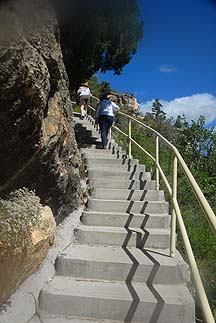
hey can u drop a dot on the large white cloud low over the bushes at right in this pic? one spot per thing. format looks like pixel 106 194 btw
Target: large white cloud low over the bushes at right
pixel 192 106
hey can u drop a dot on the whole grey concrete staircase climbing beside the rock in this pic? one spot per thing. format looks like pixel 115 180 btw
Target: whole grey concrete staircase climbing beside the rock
pixel 118 268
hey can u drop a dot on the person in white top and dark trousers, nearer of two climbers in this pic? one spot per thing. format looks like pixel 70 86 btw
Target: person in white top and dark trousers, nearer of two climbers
pixel 105 116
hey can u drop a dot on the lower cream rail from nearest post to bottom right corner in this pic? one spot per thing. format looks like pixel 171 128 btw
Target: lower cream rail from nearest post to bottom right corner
pixel 206 310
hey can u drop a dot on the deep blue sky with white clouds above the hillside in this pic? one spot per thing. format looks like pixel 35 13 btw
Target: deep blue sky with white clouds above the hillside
pixel 176 59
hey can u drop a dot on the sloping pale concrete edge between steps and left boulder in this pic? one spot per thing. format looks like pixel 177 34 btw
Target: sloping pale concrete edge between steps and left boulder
pixel 20 307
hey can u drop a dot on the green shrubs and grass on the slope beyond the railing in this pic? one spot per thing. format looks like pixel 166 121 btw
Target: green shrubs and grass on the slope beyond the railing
pixel 197 145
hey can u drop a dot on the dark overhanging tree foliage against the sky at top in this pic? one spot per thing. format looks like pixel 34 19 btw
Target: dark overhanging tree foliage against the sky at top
pixel 97 35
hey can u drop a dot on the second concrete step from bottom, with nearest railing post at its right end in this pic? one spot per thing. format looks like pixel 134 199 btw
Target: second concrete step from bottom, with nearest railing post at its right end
pixel 121 264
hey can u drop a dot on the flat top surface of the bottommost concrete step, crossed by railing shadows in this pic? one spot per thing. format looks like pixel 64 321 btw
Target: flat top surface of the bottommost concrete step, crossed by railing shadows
pixel 85 288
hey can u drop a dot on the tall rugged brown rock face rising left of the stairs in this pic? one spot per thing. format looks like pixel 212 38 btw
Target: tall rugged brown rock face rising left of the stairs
pixel 37 147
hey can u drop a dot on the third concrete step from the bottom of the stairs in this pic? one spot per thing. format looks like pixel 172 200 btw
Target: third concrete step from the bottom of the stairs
pixel 116 236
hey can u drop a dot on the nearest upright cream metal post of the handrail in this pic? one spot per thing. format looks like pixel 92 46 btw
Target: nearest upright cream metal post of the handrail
pixel 173 213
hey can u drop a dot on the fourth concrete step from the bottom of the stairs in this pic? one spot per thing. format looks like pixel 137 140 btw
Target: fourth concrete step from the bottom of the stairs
pixel 156 221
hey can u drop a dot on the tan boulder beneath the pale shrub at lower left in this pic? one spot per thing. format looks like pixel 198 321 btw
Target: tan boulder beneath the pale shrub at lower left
pixel 17 266
